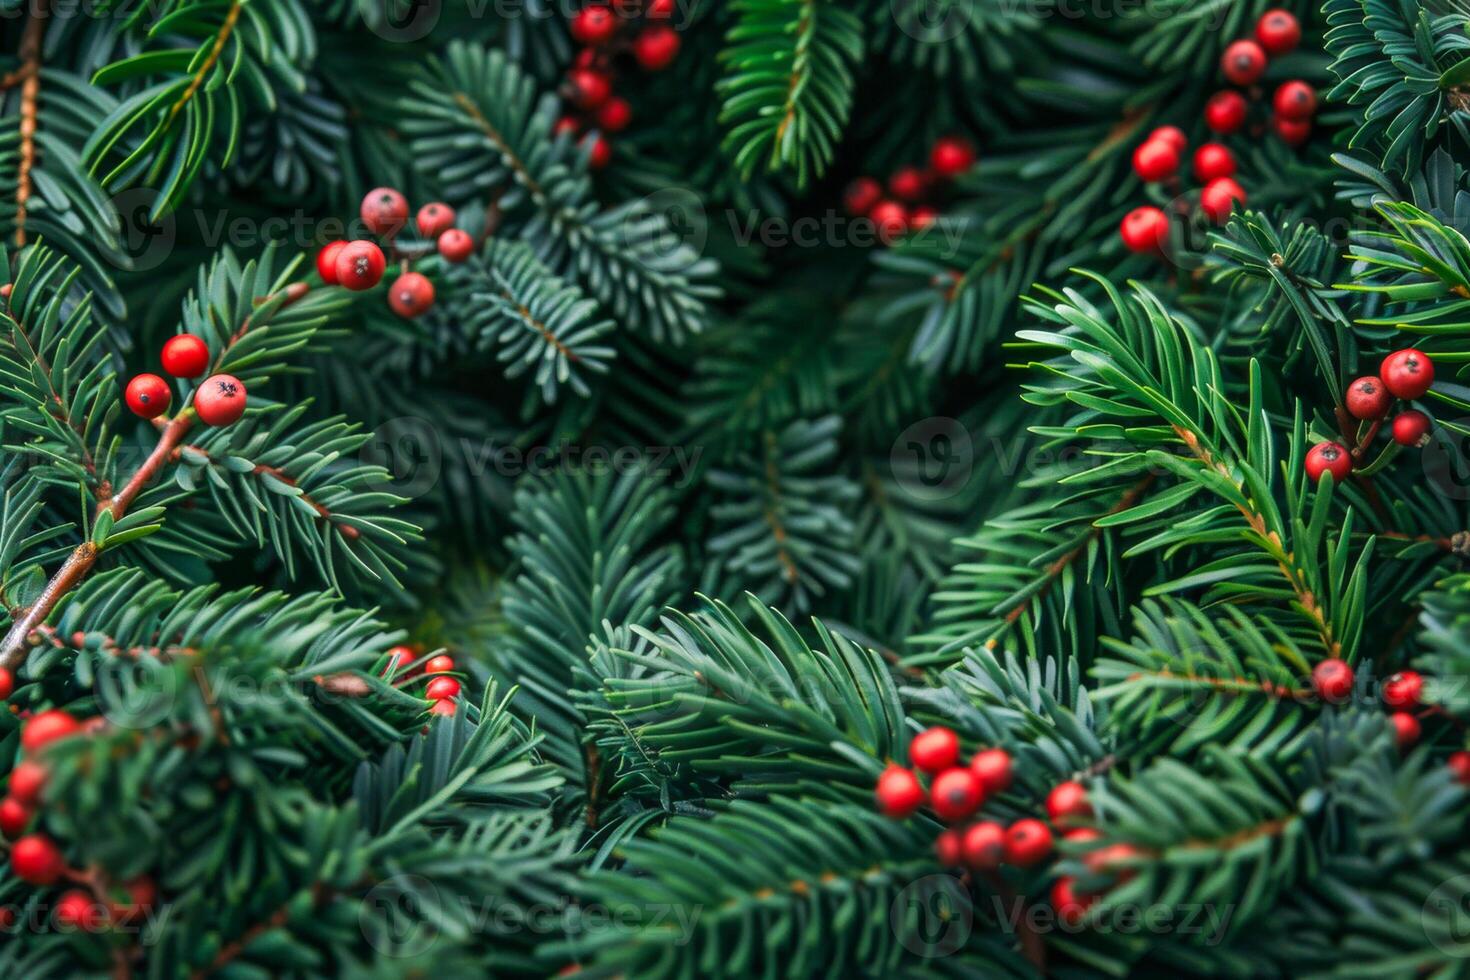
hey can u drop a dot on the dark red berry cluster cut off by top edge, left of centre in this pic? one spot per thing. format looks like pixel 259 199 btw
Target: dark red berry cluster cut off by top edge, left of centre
pixel 603 35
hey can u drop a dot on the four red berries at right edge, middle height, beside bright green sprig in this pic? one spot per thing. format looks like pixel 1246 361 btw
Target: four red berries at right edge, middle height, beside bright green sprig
pixel 1406 375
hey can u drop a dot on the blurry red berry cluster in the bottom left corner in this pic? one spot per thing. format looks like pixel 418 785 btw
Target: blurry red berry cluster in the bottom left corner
pixel 36 859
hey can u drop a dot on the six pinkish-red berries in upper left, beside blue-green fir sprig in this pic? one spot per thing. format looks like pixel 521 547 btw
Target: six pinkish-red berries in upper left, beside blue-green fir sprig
pixel 359 265
